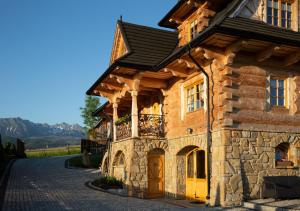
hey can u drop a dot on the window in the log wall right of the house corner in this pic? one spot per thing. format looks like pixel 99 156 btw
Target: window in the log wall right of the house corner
pixel 277 90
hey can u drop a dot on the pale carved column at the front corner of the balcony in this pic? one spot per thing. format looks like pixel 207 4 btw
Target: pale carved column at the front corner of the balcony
pixel 134 115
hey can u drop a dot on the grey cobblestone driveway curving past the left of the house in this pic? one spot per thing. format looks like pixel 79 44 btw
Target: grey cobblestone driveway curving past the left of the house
pixel 45 184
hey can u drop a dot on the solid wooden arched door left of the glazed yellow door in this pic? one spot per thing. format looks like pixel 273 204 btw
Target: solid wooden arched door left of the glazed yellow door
pixel 156 173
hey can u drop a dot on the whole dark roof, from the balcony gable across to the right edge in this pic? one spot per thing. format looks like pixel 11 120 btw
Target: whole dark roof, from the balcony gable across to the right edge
pixel 223 22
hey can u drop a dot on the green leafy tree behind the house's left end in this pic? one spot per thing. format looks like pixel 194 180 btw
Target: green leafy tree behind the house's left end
pixel 91 104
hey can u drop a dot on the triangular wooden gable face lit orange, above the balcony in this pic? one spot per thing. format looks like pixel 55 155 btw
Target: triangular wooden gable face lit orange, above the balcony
pixel 119 47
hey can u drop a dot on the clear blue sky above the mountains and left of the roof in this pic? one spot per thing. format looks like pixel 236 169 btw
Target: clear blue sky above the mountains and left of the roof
pixel 52 51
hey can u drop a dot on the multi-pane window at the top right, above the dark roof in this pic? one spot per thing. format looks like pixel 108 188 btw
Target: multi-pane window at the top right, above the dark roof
pixel 279 13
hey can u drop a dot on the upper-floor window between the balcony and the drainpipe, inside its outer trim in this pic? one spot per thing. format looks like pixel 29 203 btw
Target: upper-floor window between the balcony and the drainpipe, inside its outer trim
pixel 195 99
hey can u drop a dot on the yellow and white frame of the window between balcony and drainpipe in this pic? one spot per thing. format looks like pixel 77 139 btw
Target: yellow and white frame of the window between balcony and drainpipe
pixel 196 105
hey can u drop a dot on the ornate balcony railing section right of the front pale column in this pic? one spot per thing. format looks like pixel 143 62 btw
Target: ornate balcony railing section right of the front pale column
pixel 151 125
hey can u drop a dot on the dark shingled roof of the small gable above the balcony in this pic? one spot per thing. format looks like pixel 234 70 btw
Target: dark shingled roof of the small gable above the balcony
pixel 147 47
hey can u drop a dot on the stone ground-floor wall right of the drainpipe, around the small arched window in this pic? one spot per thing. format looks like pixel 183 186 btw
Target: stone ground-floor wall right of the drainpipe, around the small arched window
pixel 248 156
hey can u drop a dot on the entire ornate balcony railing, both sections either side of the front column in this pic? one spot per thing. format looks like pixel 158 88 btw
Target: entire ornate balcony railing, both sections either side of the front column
pixel 149 125
